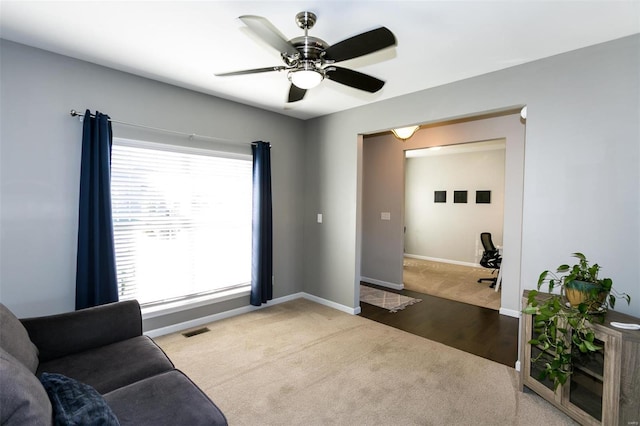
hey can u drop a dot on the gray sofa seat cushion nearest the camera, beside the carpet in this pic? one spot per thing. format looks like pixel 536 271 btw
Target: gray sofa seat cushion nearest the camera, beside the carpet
pixel 169 399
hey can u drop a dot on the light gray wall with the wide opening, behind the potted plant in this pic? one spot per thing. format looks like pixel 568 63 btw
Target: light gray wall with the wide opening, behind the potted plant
pixel 581 174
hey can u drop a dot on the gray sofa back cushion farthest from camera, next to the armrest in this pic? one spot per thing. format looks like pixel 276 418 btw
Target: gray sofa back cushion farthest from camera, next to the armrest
pixel 15 340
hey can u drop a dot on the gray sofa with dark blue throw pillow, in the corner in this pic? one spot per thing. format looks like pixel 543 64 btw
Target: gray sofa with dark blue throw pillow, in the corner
pixel 93 366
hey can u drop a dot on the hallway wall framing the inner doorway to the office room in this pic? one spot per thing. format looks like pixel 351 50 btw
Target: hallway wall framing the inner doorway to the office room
pixel 382 206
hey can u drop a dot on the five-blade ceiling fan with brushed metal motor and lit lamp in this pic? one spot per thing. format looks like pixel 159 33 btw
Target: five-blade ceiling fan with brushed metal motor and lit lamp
pixel 309 60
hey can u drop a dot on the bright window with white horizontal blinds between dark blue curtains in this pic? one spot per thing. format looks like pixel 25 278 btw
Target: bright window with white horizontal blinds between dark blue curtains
pixel 182 221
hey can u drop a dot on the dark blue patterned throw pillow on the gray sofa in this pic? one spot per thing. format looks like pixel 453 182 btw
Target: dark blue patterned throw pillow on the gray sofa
pixel 76 403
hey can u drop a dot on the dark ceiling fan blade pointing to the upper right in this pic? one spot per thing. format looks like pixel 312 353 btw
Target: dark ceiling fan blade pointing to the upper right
pixel 361 45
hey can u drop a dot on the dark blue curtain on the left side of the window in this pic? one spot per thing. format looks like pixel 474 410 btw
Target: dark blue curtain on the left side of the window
pixel 96 282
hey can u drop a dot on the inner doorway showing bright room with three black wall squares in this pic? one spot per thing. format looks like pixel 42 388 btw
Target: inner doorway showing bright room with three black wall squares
pixel 453 193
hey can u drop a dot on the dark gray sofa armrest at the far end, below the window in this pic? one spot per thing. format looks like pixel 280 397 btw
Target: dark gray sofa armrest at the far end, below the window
pixel 64 334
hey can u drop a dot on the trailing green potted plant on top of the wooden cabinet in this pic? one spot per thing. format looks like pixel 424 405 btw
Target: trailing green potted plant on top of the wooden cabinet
pixel 562 319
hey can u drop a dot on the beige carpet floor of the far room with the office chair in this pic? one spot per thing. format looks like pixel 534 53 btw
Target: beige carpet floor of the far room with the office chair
pixel 453 282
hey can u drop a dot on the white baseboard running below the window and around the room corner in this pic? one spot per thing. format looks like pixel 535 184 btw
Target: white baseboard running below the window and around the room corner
pixel 175 328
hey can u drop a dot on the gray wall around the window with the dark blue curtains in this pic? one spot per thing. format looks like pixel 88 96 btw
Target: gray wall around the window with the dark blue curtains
pixel 40 158
